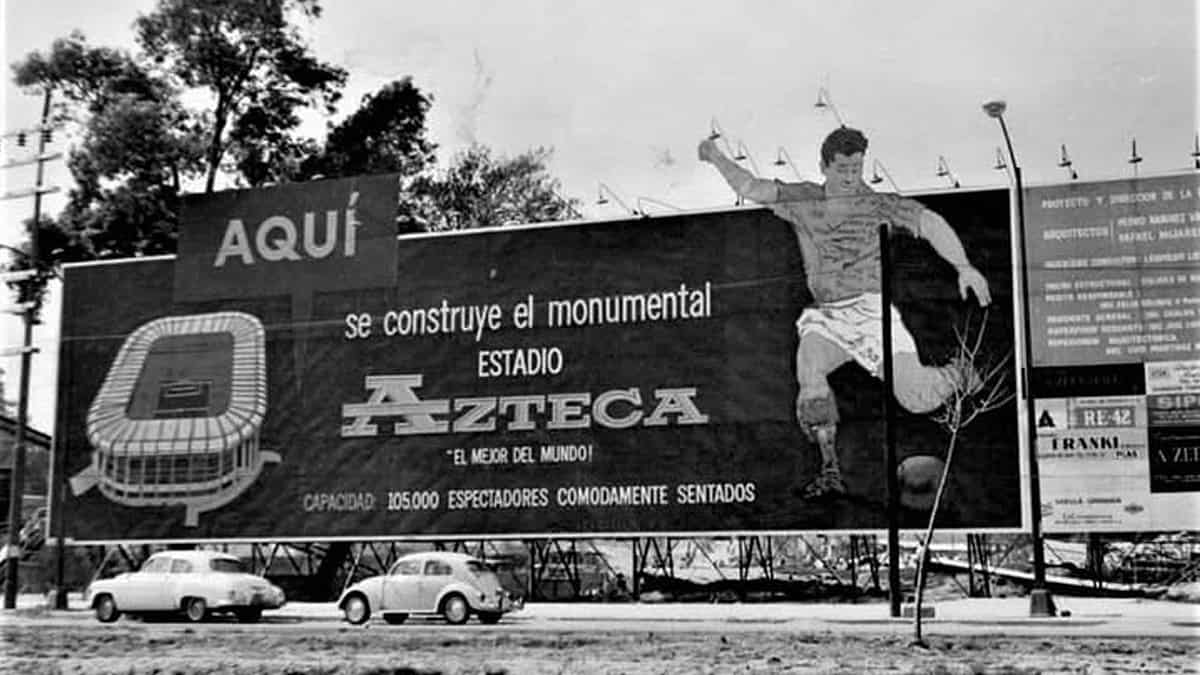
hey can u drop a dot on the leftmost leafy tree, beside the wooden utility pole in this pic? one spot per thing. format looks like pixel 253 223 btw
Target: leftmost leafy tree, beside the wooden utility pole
pixel 136 148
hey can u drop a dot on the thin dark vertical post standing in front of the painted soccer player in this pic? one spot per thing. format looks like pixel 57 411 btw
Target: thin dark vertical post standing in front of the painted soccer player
pixel 890 437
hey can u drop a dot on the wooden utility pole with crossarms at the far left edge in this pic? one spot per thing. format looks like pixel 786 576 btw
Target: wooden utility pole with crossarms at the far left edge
pixel 28 289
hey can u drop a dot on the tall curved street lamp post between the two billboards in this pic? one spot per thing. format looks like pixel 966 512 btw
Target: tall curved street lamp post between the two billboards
pixel 1041 602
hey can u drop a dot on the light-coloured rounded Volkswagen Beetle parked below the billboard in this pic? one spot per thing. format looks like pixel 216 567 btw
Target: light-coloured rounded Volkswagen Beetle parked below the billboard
pixel 435 583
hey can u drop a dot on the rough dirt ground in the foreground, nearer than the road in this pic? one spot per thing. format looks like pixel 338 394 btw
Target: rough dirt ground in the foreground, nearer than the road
pixel 133 648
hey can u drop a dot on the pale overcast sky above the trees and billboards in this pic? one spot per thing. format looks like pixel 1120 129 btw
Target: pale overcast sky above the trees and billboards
pixel 623 91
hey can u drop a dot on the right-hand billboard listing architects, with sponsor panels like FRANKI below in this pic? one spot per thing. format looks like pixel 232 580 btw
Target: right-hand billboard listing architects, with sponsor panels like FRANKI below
pixel 1115 295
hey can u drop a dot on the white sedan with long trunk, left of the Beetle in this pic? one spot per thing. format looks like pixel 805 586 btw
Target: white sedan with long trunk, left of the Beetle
pixel 197 584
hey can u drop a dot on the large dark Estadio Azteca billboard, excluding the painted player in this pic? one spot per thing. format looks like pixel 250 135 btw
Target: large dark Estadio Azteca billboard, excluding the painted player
pixel 608 378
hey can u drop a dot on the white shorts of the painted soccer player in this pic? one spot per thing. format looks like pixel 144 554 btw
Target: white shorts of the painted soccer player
pixel 856 325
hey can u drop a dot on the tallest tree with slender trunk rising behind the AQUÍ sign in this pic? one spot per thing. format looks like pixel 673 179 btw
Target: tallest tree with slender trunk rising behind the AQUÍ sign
pixel 249 56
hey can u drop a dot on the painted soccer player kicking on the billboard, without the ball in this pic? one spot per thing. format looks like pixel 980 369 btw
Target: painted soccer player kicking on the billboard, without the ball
pixel 837 226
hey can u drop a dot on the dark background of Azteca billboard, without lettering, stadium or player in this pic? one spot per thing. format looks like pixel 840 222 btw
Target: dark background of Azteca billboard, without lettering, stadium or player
pixel 741 360
